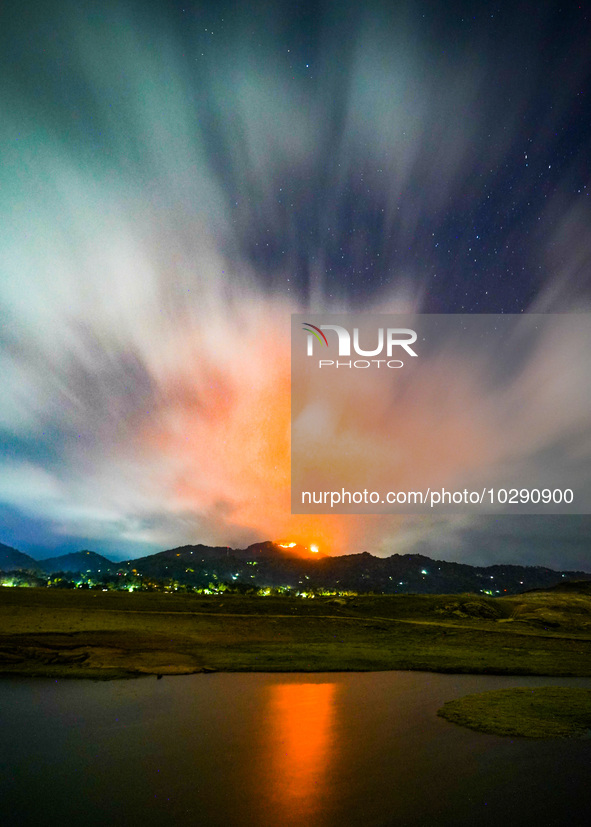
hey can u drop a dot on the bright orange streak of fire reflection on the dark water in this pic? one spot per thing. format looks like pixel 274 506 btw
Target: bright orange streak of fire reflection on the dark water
pixel 301 718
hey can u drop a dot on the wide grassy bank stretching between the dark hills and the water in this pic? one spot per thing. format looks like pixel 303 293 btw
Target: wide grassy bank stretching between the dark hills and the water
pixel 118 634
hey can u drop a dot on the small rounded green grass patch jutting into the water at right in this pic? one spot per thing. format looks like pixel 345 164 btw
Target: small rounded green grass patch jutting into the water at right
pixel 544 712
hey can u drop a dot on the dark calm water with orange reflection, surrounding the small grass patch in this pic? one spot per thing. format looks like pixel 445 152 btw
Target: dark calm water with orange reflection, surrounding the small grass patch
pixel 274 750
